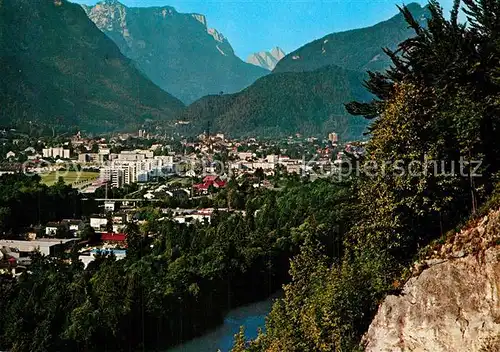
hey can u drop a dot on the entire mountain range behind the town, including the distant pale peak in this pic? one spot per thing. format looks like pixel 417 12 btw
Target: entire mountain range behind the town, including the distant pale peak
pixel 58 68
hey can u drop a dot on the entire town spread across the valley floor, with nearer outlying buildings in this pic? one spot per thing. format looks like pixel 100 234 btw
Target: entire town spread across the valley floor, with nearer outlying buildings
pixel 124 173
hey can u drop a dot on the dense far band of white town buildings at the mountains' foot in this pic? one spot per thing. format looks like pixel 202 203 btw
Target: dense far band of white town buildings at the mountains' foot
pixel 119 166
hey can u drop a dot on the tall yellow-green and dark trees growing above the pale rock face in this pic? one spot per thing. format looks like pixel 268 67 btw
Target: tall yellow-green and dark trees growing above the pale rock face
pixel 439 101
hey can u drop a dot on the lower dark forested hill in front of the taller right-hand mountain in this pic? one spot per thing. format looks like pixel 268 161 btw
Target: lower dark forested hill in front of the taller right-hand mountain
pixel 285 103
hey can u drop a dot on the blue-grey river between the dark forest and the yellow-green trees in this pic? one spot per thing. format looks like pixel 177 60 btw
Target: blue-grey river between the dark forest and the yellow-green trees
pixel 251 316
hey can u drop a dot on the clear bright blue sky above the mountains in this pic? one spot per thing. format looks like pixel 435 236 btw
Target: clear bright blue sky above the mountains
pixel 257 25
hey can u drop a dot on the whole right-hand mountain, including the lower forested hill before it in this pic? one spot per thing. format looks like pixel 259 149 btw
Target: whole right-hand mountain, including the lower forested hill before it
pixel 308 88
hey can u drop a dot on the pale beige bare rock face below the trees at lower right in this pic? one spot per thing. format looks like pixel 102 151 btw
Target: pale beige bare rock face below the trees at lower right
pixel 452 302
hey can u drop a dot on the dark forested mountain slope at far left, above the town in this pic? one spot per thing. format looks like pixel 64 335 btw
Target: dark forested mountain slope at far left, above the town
pixel 58 69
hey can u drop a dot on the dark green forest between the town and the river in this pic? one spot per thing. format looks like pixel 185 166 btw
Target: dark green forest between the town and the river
pixel 177 281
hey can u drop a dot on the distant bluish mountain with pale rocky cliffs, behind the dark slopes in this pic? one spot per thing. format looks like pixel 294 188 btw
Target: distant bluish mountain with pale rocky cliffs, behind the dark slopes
pixel 177 51
